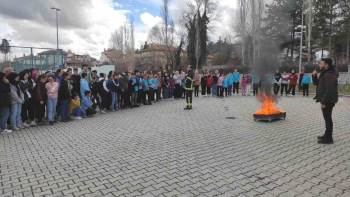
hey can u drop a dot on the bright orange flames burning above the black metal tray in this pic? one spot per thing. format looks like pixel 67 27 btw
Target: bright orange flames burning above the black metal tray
pixel 268 106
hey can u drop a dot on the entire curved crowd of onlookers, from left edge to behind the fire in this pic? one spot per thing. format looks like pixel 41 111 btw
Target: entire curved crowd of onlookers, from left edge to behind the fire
pixel 29 99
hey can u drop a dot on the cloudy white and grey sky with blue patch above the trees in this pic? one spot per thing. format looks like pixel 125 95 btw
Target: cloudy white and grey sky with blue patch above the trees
pixel 86 25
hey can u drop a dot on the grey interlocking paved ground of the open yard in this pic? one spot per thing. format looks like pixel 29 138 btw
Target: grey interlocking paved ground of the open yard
pixel 162 150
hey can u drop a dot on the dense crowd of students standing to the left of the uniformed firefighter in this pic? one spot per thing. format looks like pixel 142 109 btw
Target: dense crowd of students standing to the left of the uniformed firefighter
pixel 29 99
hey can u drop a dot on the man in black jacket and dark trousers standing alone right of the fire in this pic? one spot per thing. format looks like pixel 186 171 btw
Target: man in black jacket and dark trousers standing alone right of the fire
pixel 327 95
